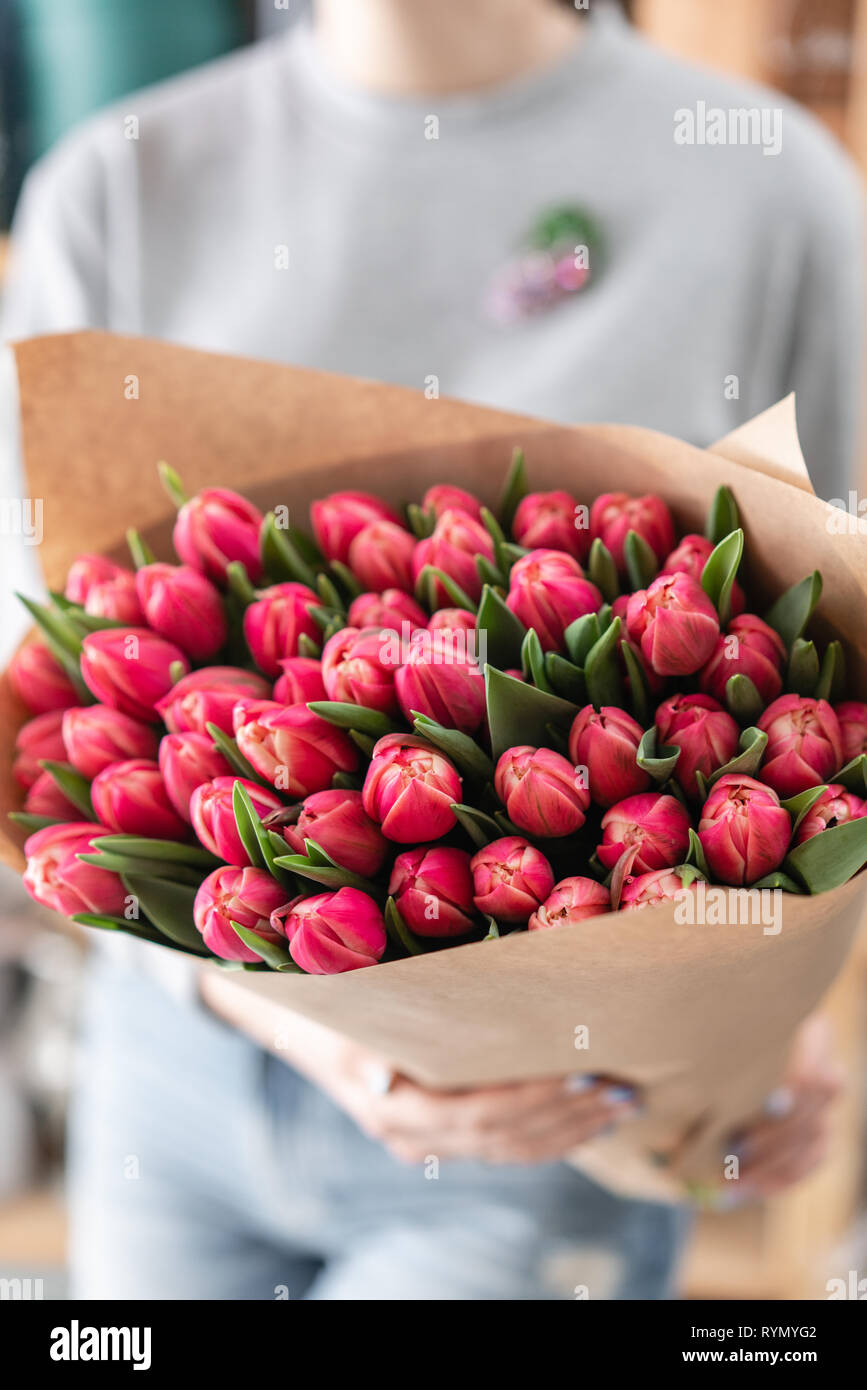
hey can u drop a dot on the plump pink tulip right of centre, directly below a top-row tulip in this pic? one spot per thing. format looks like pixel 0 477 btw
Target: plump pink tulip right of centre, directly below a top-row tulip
pixel 548 591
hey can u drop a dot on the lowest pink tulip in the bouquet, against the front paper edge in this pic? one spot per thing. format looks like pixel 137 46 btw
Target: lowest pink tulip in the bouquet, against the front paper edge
pixel 334 932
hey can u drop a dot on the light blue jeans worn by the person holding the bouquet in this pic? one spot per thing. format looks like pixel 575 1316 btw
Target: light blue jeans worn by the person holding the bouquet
pixel 204 1168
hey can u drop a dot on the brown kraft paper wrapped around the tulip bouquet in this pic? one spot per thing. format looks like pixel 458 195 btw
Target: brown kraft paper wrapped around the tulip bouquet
pixel 698 1017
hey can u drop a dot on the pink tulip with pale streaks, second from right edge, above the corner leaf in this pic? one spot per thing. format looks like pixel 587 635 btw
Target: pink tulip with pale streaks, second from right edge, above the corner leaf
pixel 805 744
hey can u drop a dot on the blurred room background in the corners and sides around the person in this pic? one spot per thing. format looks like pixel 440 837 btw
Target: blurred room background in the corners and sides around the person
pixel 58 65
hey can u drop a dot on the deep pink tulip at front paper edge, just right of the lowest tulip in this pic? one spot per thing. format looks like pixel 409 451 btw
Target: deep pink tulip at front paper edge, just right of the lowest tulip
pixel 433 890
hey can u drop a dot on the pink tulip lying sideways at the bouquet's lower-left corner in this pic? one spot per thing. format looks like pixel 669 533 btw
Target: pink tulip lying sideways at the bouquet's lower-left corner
pixel 58 879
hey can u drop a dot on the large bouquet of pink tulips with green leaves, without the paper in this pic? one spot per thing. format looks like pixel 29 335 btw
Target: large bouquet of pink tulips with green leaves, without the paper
pixel 406 732
